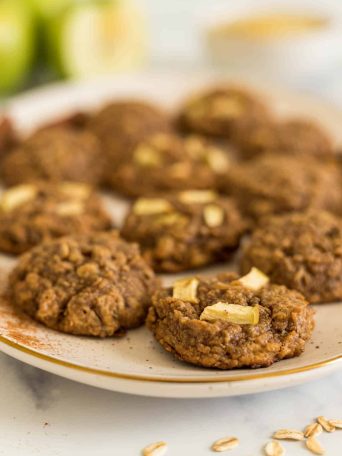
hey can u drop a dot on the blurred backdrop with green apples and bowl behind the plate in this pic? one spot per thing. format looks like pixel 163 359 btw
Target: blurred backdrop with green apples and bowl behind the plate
pixel 288 42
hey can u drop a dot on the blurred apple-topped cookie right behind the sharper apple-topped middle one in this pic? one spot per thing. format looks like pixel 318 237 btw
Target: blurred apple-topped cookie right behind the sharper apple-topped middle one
pixel 167 162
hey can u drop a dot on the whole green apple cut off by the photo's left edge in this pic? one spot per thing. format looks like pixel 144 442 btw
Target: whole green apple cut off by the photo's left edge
pixel 16 43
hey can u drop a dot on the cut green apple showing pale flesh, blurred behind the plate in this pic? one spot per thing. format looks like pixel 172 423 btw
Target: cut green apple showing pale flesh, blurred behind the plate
pixel 96 37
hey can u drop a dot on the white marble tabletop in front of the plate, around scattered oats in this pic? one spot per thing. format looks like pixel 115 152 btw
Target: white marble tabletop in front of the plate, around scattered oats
pixel 41 414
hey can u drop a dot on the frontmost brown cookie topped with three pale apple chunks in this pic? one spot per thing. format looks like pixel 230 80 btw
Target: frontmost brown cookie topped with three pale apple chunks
pixel 226 323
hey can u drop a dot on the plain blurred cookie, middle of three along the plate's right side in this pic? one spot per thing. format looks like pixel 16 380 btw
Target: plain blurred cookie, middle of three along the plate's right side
pixel 274 185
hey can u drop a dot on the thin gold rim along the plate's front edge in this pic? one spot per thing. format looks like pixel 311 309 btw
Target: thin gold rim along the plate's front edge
pixel 137 377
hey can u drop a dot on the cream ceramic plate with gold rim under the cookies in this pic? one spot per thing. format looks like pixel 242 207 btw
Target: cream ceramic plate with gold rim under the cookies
pixel 135 363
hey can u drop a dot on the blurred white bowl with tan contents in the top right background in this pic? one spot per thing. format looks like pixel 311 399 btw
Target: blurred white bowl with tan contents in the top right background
pixel 283 41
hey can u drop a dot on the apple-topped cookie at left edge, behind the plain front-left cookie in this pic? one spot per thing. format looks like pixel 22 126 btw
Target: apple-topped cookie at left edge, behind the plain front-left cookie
pixel 34 213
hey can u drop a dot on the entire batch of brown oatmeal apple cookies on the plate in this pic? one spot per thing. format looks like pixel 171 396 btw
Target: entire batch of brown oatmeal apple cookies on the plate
pixel 221 170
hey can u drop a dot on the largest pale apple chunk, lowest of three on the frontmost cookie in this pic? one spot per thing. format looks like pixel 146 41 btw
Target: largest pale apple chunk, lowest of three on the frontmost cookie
pixel 233 313
